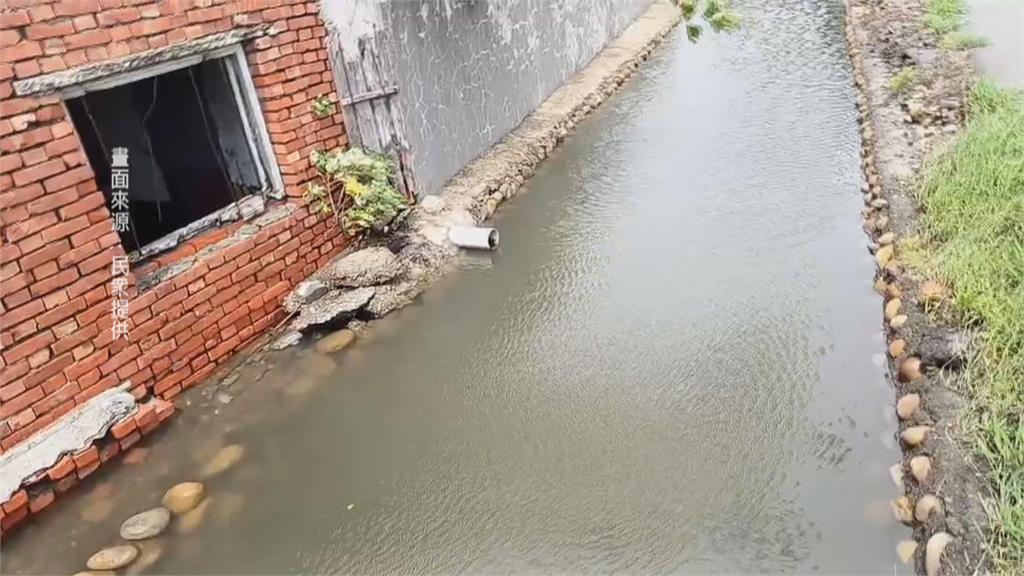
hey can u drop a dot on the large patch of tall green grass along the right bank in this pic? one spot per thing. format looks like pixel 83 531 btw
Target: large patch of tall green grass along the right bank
pixel 973 230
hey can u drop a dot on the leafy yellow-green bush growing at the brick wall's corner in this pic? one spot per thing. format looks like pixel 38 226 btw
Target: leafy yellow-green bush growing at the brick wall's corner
pixel 358 188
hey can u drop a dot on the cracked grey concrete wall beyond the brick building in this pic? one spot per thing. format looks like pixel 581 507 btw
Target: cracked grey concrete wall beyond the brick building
pixel 470 71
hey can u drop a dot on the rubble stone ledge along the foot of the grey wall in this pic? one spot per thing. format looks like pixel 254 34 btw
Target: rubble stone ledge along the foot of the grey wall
pixel 387 275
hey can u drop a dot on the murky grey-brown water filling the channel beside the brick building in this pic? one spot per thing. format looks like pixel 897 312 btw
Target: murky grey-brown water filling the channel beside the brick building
pixel 671 365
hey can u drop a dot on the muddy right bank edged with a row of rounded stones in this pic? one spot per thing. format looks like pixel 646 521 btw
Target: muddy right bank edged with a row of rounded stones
pixel 945 487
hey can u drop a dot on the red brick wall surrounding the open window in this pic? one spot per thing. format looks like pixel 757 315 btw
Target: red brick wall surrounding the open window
pixel 58 241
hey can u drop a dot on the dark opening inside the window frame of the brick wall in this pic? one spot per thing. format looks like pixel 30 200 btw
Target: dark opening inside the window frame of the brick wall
pixel 189 154
